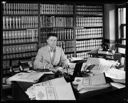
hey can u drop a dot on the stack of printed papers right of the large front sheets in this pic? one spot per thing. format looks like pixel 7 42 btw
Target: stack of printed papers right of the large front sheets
pixel 91 83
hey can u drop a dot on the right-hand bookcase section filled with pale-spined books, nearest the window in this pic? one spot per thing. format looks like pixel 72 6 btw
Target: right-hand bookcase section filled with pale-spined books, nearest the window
pixel 88 28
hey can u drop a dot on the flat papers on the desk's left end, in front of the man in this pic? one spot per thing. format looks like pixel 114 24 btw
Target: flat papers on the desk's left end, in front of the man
pixel 28 77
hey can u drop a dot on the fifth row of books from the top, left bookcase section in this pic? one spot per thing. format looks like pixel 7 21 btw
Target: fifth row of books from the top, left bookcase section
pixel 19 55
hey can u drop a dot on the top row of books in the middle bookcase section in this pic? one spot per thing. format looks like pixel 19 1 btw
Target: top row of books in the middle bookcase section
pixel 56 9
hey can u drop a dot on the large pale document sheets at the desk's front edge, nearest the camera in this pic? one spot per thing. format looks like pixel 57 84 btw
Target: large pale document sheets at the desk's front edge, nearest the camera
pixel 55 89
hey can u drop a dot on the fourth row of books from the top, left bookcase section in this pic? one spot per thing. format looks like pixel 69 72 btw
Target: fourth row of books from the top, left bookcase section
pixel 19 48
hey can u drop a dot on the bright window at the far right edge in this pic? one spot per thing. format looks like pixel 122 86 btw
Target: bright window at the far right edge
pixel 121 20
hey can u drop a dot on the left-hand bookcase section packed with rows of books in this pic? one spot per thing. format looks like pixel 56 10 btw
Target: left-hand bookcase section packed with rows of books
pixel 20 33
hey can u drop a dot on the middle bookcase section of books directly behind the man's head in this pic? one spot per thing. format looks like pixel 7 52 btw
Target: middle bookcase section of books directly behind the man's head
pixel 58 18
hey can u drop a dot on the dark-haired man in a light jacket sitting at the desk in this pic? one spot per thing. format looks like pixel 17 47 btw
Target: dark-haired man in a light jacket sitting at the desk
pixel 50 56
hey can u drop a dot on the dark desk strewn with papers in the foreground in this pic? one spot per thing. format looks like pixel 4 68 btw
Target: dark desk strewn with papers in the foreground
pixel 19 89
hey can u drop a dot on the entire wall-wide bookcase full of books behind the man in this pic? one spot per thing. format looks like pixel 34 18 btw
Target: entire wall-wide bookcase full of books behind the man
pixel 79 28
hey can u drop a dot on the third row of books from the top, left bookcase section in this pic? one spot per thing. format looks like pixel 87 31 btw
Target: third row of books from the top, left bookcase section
pixel 12 37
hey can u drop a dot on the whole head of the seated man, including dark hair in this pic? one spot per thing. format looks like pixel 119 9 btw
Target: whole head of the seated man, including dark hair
pixel 52 40
